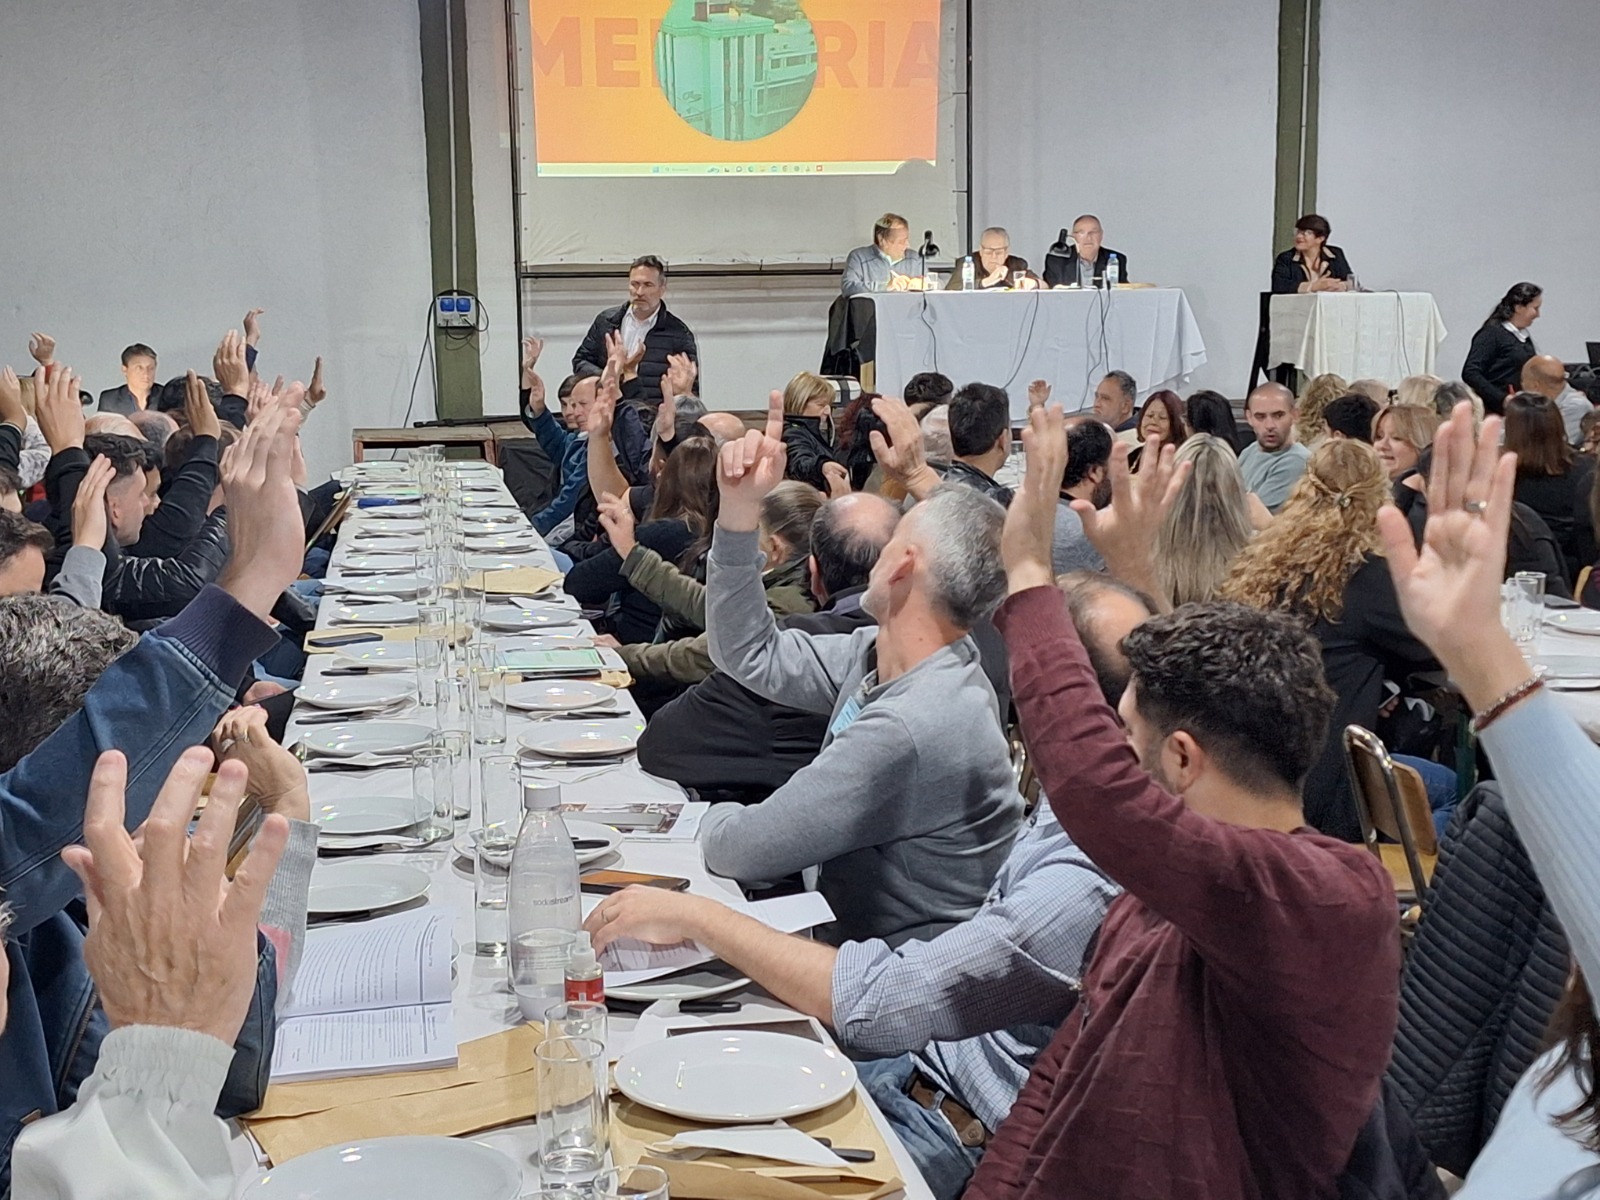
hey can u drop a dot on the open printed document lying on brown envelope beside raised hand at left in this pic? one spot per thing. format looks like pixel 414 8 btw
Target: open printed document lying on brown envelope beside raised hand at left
pixel 370 998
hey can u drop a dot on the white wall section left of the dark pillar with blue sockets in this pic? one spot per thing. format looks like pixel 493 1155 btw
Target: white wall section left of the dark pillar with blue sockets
pixel 170 166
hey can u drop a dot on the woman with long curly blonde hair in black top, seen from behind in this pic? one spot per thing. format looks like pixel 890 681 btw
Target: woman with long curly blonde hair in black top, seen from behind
pixel 1321 561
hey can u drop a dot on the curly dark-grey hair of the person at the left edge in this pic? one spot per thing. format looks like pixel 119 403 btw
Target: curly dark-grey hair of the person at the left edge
pixel 50 655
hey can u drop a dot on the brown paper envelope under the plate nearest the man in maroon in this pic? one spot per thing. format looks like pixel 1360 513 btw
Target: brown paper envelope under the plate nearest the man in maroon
pixel 732 1177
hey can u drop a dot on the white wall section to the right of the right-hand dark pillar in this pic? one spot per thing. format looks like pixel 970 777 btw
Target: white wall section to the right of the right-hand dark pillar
pixel 1471 167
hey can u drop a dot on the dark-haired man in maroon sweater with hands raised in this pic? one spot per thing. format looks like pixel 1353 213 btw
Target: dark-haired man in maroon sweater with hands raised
pixel 1241 1004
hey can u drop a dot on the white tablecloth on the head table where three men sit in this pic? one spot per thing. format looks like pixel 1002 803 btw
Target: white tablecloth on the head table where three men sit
pixel 1010 338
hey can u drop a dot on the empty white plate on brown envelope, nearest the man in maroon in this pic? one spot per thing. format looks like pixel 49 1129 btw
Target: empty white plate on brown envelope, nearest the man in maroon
pixel 735 1076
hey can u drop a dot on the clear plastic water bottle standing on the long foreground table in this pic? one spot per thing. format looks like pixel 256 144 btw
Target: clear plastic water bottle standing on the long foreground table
pixel 543 911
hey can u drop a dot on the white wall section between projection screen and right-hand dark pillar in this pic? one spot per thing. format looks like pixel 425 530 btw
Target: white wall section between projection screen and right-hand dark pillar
pixel 1161 118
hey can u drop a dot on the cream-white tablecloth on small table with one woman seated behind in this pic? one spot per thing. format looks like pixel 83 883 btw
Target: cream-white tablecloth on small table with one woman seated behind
pixel 1358 335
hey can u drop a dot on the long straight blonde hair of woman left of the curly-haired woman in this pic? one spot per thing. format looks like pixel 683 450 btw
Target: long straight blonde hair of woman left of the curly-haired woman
pixel 1207 527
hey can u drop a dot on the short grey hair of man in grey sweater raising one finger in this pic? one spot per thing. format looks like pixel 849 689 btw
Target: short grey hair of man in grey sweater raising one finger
pixel 961 532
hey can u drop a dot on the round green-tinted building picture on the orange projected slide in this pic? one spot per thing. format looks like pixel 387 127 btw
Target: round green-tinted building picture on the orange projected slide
pixel 737 71
